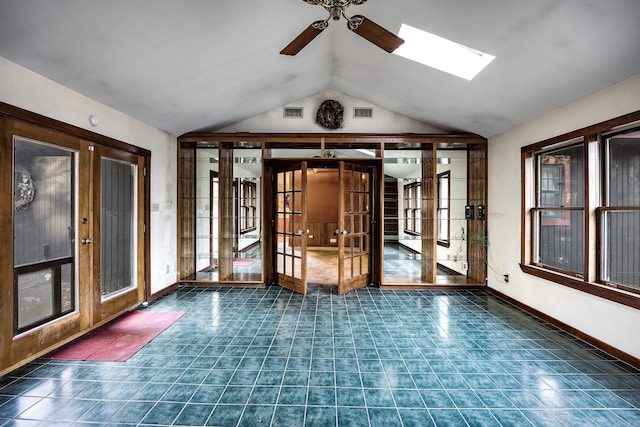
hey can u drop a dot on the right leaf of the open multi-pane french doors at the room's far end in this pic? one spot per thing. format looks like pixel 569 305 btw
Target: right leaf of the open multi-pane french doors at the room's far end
pixel 354 227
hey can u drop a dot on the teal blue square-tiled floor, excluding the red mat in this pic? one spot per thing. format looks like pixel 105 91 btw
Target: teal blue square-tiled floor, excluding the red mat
pixel 260 357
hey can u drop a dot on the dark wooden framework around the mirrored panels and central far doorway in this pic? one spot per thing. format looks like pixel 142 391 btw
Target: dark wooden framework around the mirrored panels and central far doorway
pixel 377 144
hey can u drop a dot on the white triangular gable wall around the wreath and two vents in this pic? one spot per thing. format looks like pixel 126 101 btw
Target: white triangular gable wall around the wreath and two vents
pixel 383 121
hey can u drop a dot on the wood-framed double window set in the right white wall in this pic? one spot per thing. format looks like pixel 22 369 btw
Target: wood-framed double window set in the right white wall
pixel 581 216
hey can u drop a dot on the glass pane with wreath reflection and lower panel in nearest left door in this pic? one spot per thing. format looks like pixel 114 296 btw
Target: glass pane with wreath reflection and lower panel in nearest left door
pixel 44 232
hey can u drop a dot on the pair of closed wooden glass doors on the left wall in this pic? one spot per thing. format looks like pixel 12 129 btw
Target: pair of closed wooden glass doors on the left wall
pixel 72 236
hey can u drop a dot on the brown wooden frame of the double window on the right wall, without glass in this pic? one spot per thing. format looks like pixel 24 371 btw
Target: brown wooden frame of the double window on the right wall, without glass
pixel 594 205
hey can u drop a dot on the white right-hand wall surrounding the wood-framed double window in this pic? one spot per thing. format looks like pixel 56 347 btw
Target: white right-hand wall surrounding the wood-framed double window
pixel 612 323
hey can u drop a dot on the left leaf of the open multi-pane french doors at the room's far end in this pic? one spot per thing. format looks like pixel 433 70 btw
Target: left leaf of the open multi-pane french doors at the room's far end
pixel 291 226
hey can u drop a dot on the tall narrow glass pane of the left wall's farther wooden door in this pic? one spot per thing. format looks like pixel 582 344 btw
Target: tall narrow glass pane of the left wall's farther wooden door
pixel 117 227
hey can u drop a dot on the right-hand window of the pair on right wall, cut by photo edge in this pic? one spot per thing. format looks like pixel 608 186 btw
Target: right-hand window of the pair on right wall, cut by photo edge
pixel 619 218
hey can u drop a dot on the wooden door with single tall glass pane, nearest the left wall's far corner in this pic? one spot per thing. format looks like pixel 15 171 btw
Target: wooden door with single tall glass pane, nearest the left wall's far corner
pixel 115 232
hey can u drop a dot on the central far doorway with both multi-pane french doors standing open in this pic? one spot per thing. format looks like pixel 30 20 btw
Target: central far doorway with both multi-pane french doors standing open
pixel 323 223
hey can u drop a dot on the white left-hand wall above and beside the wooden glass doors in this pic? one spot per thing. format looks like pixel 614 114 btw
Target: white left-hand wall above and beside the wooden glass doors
pixel 23 88
